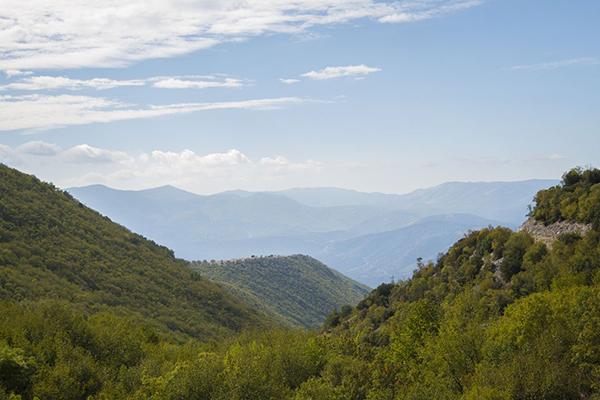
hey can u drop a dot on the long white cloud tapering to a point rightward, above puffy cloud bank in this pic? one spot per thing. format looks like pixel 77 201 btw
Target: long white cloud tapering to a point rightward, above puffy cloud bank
pixel 39 112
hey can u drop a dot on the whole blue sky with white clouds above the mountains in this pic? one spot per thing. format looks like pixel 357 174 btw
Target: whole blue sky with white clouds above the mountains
pixel 212 95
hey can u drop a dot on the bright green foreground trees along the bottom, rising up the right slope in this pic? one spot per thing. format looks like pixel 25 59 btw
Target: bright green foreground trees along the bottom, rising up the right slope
pixel 499 316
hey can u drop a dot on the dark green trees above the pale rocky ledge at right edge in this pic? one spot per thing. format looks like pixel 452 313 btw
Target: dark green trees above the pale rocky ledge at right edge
pixel 577 198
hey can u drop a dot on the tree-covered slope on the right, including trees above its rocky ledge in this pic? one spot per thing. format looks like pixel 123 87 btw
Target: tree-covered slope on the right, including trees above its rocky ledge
pixel 498 316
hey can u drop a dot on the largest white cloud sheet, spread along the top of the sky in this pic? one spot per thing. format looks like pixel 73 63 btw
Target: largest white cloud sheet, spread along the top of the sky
pixel 59 34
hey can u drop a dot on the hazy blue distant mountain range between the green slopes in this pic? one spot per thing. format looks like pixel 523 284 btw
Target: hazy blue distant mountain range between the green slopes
pixel 367 236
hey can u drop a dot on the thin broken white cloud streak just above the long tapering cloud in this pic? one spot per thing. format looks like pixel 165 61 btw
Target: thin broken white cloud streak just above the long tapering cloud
pixel 38 83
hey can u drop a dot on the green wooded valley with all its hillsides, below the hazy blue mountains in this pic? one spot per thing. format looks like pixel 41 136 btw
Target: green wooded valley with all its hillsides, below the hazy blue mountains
pixel 89 309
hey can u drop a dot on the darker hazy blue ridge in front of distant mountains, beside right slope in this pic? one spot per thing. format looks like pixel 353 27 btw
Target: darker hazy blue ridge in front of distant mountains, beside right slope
pixel 378 257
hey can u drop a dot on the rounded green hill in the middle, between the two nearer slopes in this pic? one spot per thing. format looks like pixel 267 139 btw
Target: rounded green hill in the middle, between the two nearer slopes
pixel 299 289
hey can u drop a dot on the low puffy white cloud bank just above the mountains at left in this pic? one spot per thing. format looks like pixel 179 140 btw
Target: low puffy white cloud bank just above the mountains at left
pixel 84 164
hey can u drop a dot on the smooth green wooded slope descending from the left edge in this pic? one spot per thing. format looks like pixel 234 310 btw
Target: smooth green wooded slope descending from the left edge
pixel 53 247
